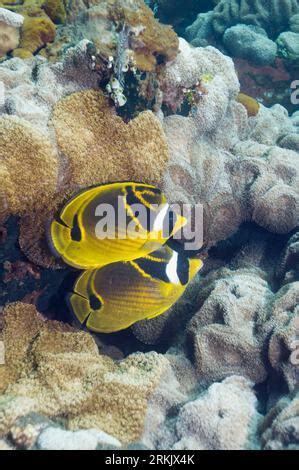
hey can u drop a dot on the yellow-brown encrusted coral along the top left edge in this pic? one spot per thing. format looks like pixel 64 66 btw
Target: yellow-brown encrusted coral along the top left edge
pixel 52 27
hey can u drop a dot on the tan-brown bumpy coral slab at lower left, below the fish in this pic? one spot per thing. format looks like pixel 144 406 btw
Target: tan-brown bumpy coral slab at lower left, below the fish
pixel 54 370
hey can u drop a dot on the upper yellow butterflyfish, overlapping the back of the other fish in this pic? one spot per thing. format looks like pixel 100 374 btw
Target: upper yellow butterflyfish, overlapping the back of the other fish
pixel 126 233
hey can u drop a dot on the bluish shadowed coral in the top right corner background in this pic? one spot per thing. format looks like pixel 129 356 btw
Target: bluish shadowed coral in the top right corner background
pixel 249 29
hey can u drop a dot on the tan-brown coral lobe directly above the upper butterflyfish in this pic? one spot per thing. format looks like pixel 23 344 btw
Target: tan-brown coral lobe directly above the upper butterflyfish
pixel 101 147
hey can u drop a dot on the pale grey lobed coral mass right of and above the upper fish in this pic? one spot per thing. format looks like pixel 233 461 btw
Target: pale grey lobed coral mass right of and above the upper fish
pixel 218 139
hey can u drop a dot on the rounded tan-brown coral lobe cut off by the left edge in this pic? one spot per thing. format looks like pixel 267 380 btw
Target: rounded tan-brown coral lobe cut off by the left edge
pixel 28 166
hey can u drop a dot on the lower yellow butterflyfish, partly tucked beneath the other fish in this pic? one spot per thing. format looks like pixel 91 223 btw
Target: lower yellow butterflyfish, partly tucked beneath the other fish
pixel 117 295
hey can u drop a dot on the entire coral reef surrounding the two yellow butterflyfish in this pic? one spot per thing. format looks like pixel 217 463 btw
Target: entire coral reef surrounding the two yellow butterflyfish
pixel 226 374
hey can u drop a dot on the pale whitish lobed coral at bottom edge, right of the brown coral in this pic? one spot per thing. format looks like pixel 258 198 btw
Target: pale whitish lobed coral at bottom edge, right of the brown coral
pixel 224 416
